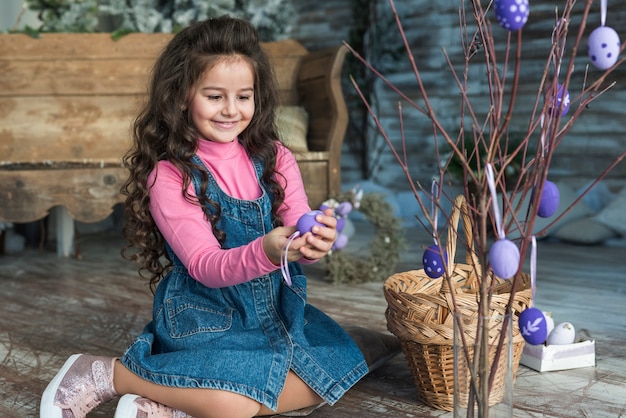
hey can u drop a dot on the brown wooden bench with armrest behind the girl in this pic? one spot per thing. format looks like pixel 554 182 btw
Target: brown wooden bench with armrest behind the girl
pixel 67 102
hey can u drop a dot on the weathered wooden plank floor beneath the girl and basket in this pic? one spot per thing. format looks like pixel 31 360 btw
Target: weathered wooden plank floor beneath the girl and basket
pixel 51 308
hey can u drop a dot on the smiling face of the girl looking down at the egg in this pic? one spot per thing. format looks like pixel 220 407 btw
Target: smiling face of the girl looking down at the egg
pixel 222 104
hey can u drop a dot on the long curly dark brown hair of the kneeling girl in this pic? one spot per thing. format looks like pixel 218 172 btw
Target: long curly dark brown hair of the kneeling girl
pixel 163 130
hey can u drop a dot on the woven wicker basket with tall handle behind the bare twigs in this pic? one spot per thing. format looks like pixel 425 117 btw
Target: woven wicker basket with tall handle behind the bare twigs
pixel 420 313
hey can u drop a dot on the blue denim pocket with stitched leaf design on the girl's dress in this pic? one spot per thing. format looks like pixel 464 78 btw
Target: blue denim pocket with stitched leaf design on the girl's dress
pixel 186 317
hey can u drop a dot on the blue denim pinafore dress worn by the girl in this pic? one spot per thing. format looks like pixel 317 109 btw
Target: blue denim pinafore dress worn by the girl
pixel 243 338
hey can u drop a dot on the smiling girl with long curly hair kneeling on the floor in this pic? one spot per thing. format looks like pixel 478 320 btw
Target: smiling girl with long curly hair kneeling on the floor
pixel 209 196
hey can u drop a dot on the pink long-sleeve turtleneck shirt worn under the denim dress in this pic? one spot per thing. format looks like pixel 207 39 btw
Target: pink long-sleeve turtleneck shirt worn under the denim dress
pixel 190 236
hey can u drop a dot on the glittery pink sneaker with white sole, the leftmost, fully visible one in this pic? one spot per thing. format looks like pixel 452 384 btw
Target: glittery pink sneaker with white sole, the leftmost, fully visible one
pixel 83 383
